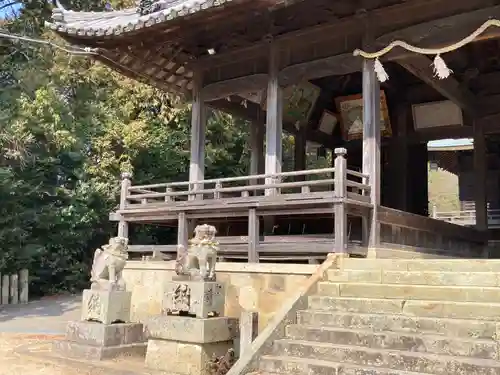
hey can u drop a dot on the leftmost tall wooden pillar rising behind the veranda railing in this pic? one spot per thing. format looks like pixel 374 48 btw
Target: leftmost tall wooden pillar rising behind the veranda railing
pixel 198 122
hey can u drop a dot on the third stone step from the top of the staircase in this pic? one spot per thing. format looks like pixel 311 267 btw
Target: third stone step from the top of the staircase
pixel 410 292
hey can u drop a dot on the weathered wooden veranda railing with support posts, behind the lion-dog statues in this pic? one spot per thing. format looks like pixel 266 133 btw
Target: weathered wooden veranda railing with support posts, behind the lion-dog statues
pixel 332 191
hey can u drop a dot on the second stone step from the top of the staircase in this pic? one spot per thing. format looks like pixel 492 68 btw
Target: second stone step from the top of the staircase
pixel 483 279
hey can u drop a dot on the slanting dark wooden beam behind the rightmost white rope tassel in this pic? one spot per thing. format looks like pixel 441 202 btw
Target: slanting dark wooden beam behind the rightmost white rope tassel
pixel 421 67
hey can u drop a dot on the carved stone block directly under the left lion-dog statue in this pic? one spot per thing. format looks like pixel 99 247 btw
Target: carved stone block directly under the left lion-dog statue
pixel 106 306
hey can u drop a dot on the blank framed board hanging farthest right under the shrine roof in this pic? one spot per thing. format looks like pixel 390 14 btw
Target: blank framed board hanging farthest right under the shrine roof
pixel 436 114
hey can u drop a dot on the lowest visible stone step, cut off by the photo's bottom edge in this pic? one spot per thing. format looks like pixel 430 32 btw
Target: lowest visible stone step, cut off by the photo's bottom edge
pixel 270 365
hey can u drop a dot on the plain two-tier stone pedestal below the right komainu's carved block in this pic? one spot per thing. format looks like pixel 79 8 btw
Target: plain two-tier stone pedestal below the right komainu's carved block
pixel 191 343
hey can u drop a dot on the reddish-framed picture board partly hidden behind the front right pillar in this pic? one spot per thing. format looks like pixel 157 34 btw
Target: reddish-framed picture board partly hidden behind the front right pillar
pixel 351 116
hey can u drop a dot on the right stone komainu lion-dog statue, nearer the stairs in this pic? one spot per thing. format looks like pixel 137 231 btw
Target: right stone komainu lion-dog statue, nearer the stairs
pixel 198 261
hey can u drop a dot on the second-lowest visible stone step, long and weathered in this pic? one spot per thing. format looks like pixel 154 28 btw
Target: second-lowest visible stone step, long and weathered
pixel 393 359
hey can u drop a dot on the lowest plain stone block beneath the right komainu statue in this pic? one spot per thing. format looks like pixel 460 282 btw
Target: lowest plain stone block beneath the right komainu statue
pixel 184 358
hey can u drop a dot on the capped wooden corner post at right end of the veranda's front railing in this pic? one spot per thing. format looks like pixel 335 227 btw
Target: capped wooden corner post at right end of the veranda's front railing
pixel 340 207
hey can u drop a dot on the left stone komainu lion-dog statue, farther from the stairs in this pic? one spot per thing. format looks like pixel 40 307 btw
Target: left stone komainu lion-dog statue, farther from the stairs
pixel 108 265
